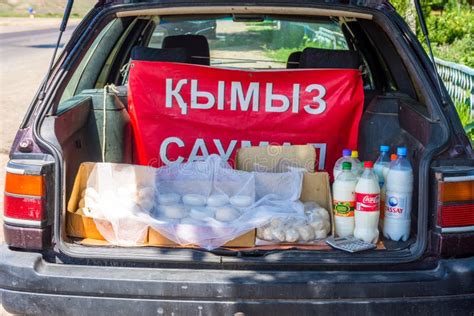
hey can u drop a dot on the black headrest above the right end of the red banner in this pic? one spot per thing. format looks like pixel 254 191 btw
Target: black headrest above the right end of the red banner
pixel 329 58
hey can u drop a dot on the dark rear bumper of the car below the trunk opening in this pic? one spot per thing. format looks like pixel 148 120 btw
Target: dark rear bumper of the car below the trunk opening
pixel 29 285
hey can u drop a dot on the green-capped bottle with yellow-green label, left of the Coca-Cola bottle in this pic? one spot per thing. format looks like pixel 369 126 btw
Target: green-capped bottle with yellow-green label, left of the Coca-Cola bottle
pixel 344 201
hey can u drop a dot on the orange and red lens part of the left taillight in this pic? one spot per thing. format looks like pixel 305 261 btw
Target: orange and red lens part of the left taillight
pixel 24 199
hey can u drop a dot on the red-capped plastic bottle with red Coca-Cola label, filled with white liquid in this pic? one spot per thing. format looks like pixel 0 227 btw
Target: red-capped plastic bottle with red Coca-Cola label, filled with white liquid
pixel 367 210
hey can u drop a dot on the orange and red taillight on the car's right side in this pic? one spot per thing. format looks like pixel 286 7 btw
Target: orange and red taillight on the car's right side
pixel 456 204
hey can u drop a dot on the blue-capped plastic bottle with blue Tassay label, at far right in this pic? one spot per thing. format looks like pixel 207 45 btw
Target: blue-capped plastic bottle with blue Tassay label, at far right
pixel 398 198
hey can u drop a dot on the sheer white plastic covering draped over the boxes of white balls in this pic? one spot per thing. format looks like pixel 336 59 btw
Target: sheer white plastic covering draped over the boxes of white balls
pixel 204 203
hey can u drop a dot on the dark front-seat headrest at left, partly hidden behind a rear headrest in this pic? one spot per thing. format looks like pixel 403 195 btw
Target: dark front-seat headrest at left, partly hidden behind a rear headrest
pixel 196 47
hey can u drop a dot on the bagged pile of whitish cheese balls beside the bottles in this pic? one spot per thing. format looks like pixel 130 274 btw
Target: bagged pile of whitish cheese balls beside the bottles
pixel 313 225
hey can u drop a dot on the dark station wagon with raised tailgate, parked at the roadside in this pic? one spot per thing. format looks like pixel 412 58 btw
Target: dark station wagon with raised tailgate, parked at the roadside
pixel 45 270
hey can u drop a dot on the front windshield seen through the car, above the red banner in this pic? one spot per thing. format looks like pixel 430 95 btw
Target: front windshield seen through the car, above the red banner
pixel 257 44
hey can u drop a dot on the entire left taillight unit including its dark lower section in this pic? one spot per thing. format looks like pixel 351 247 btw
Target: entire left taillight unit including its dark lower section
pixel 28 213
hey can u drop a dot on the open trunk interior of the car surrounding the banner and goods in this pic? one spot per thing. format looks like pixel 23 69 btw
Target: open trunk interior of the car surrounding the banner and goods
pixel 393 113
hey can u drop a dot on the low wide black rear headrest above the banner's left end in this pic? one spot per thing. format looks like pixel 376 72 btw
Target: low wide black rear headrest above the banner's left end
pixel 177 55
